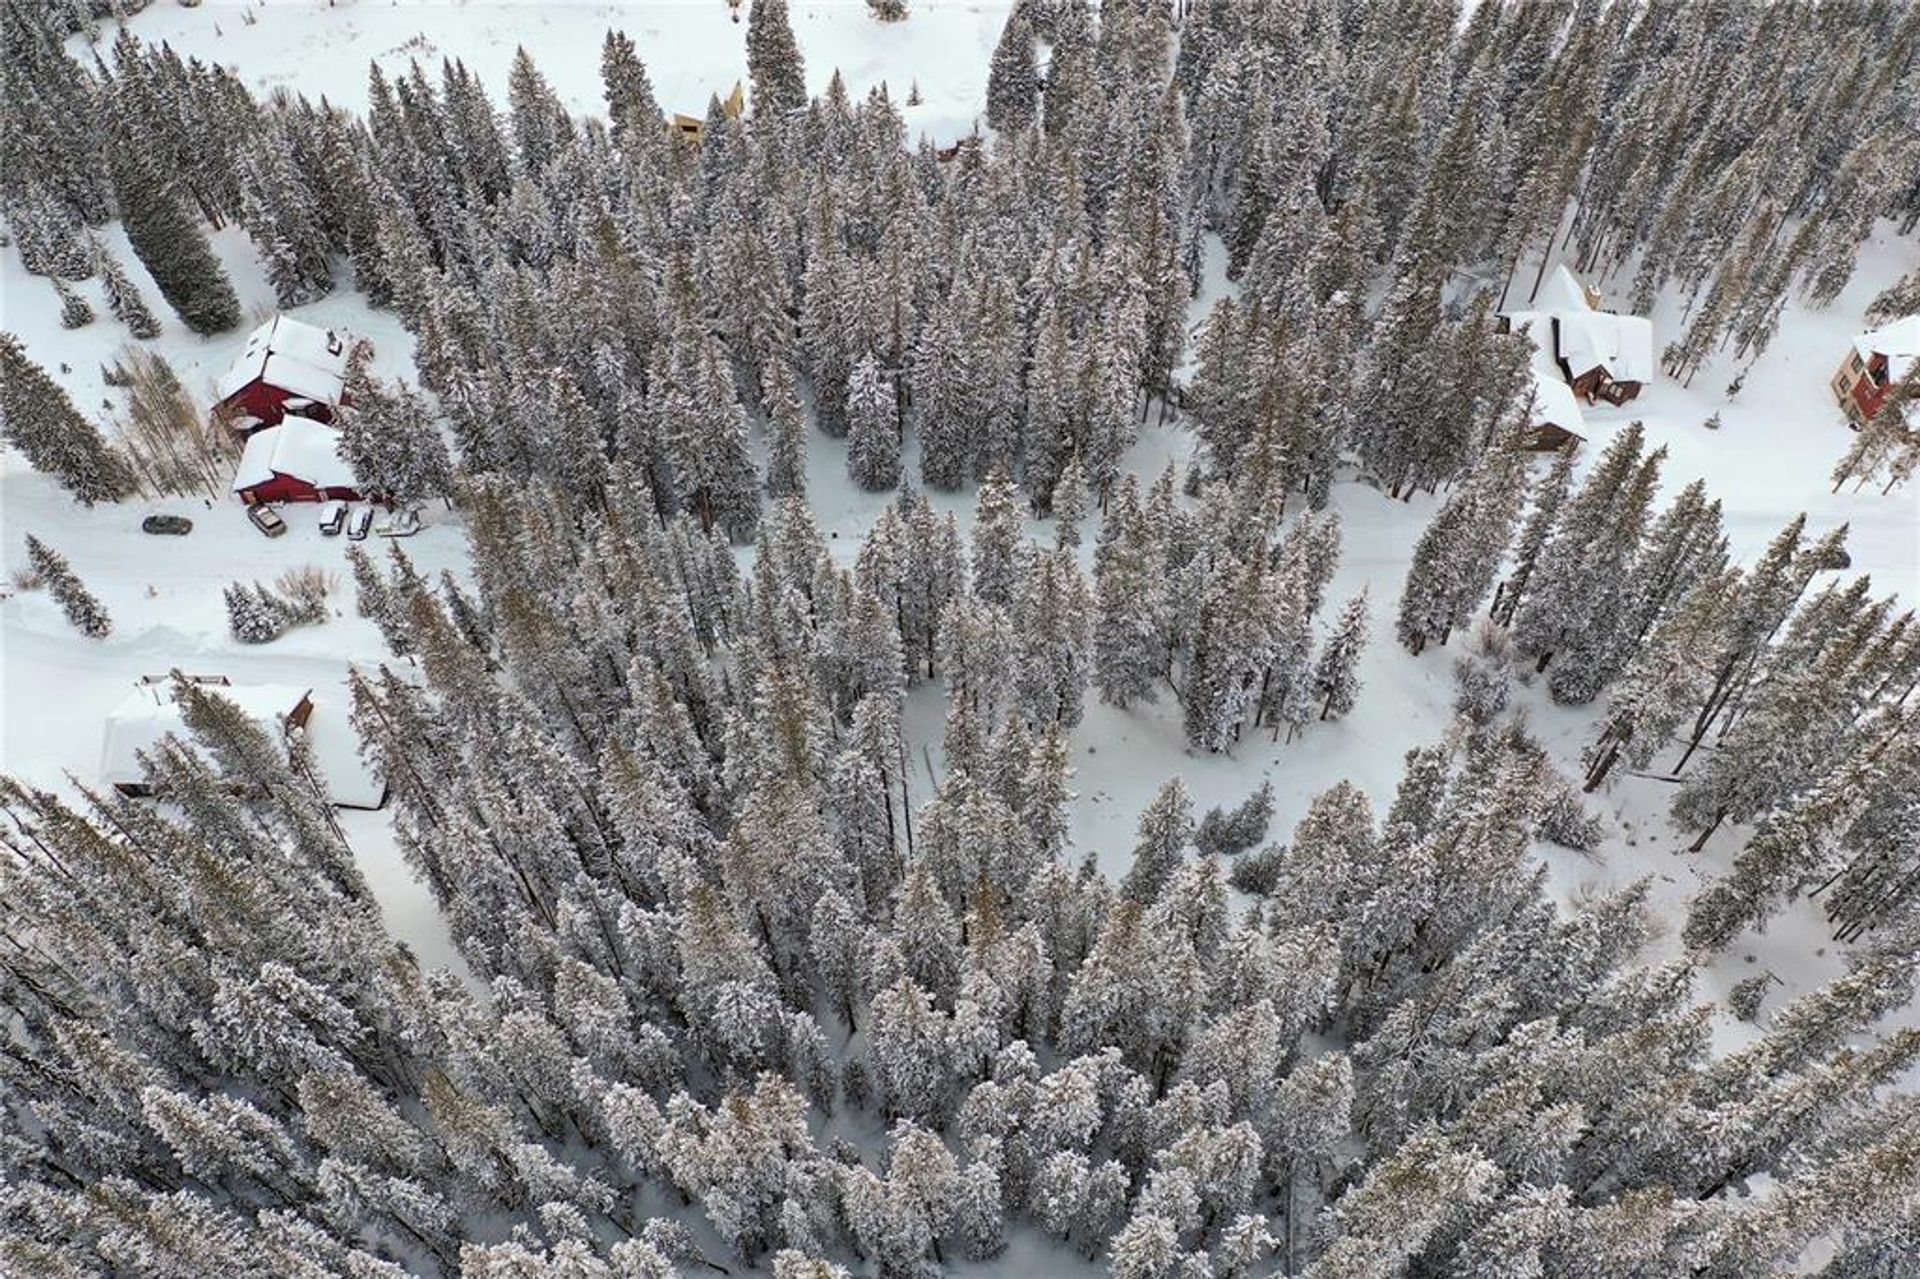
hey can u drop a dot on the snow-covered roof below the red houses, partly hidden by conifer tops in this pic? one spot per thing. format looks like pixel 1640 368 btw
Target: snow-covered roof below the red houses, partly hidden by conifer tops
pixel 149 715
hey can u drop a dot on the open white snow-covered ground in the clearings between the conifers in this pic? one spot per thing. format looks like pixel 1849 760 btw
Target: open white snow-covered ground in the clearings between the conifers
pixel 1769 462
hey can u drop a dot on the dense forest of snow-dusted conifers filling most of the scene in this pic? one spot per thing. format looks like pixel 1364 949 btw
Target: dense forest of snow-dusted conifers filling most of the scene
pixel 746 1001
